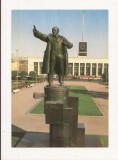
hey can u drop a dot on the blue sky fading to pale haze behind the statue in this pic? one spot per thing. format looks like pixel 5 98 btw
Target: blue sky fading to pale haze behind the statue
pixel 70 24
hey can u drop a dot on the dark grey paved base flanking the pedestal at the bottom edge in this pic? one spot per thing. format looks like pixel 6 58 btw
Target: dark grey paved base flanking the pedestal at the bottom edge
pixel 41 139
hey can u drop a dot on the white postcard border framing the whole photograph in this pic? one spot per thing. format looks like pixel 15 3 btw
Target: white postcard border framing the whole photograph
pixel 9 153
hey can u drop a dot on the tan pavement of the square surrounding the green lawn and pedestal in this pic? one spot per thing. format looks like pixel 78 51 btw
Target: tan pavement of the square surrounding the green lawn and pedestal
pixel 23 102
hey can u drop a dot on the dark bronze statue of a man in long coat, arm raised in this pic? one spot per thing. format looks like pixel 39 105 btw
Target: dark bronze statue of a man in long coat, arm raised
pixel 55 56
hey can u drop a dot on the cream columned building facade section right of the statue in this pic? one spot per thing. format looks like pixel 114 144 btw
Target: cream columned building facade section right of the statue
pixel 83 66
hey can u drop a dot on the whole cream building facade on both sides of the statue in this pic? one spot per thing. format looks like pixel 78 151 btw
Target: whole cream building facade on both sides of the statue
pixel 77 66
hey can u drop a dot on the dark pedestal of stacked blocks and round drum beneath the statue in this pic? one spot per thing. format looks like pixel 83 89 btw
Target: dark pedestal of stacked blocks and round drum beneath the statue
pixel 61 113
